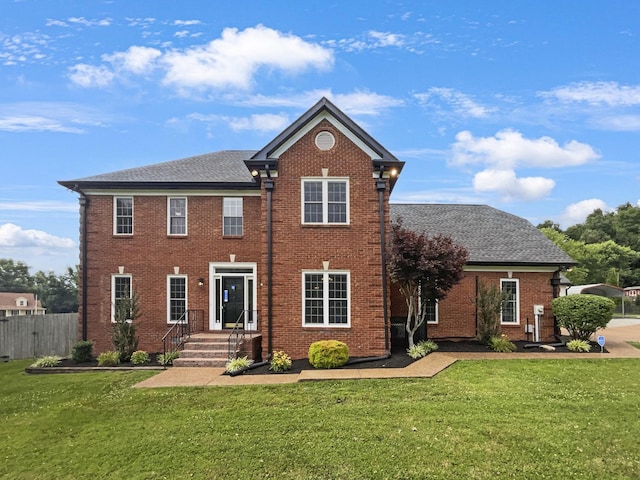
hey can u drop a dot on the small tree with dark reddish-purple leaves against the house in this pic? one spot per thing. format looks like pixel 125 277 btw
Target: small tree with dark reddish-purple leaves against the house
pixel 425 269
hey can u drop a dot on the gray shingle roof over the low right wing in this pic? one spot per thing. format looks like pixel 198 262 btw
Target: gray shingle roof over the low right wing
pixel 491 236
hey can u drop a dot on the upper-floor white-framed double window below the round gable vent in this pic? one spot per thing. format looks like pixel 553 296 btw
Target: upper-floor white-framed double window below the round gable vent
pixel 325 201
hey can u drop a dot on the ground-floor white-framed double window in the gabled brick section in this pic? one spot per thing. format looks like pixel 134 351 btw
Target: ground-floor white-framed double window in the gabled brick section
pixel 326 299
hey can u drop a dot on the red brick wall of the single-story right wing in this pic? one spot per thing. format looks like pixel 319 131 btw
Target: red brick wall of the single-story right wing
pixel 457 311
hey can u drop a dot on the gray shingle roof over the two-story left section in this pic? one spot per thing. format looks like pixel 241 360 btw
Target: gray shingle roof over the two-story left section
pixel 226 166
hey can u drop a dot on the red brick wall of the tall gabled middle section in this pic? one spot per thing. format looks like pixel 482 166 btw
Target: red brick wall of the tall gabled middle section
pixel 354 248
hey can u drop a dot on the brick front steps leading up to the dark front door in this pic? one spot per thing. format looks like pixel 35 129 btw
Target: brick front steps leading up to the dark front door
pixel 204 350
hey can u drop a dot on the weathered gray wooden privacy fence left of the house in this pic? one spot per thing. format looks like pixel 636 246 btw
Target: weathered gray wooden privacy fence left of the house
pixel 33 336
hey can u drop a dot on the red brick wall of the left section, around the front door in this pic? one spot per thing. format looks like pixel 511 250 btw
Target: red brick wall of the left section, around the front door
pixel 149 255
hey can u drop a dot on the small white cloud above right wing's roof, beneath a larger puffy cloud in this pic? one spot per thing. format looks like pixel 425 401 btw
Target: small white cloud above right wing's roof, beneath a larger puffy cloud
pixel 507 184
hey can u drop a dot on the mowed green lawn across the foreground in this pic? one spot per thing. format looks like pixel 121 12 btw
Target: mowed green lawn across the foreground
pixel 476 420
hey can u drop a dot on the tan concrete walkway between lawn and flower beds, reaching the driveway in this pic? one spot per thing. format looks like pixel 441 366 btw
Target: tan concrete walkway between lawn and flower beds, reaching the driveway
pixel 615 337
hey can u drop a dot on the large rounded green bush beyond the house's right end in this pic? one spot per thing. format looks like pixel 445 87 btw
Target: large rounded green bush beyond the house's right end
pixel 582 314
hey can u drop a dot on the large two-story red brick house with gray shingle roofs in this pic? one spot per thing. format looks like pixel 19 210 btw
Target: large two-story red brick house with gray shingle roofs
pixel 289 242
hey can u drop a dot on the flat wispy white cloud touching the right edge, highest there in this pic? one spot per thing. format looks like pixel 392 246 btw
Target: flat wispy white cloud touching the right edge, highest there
pixel 596 93
